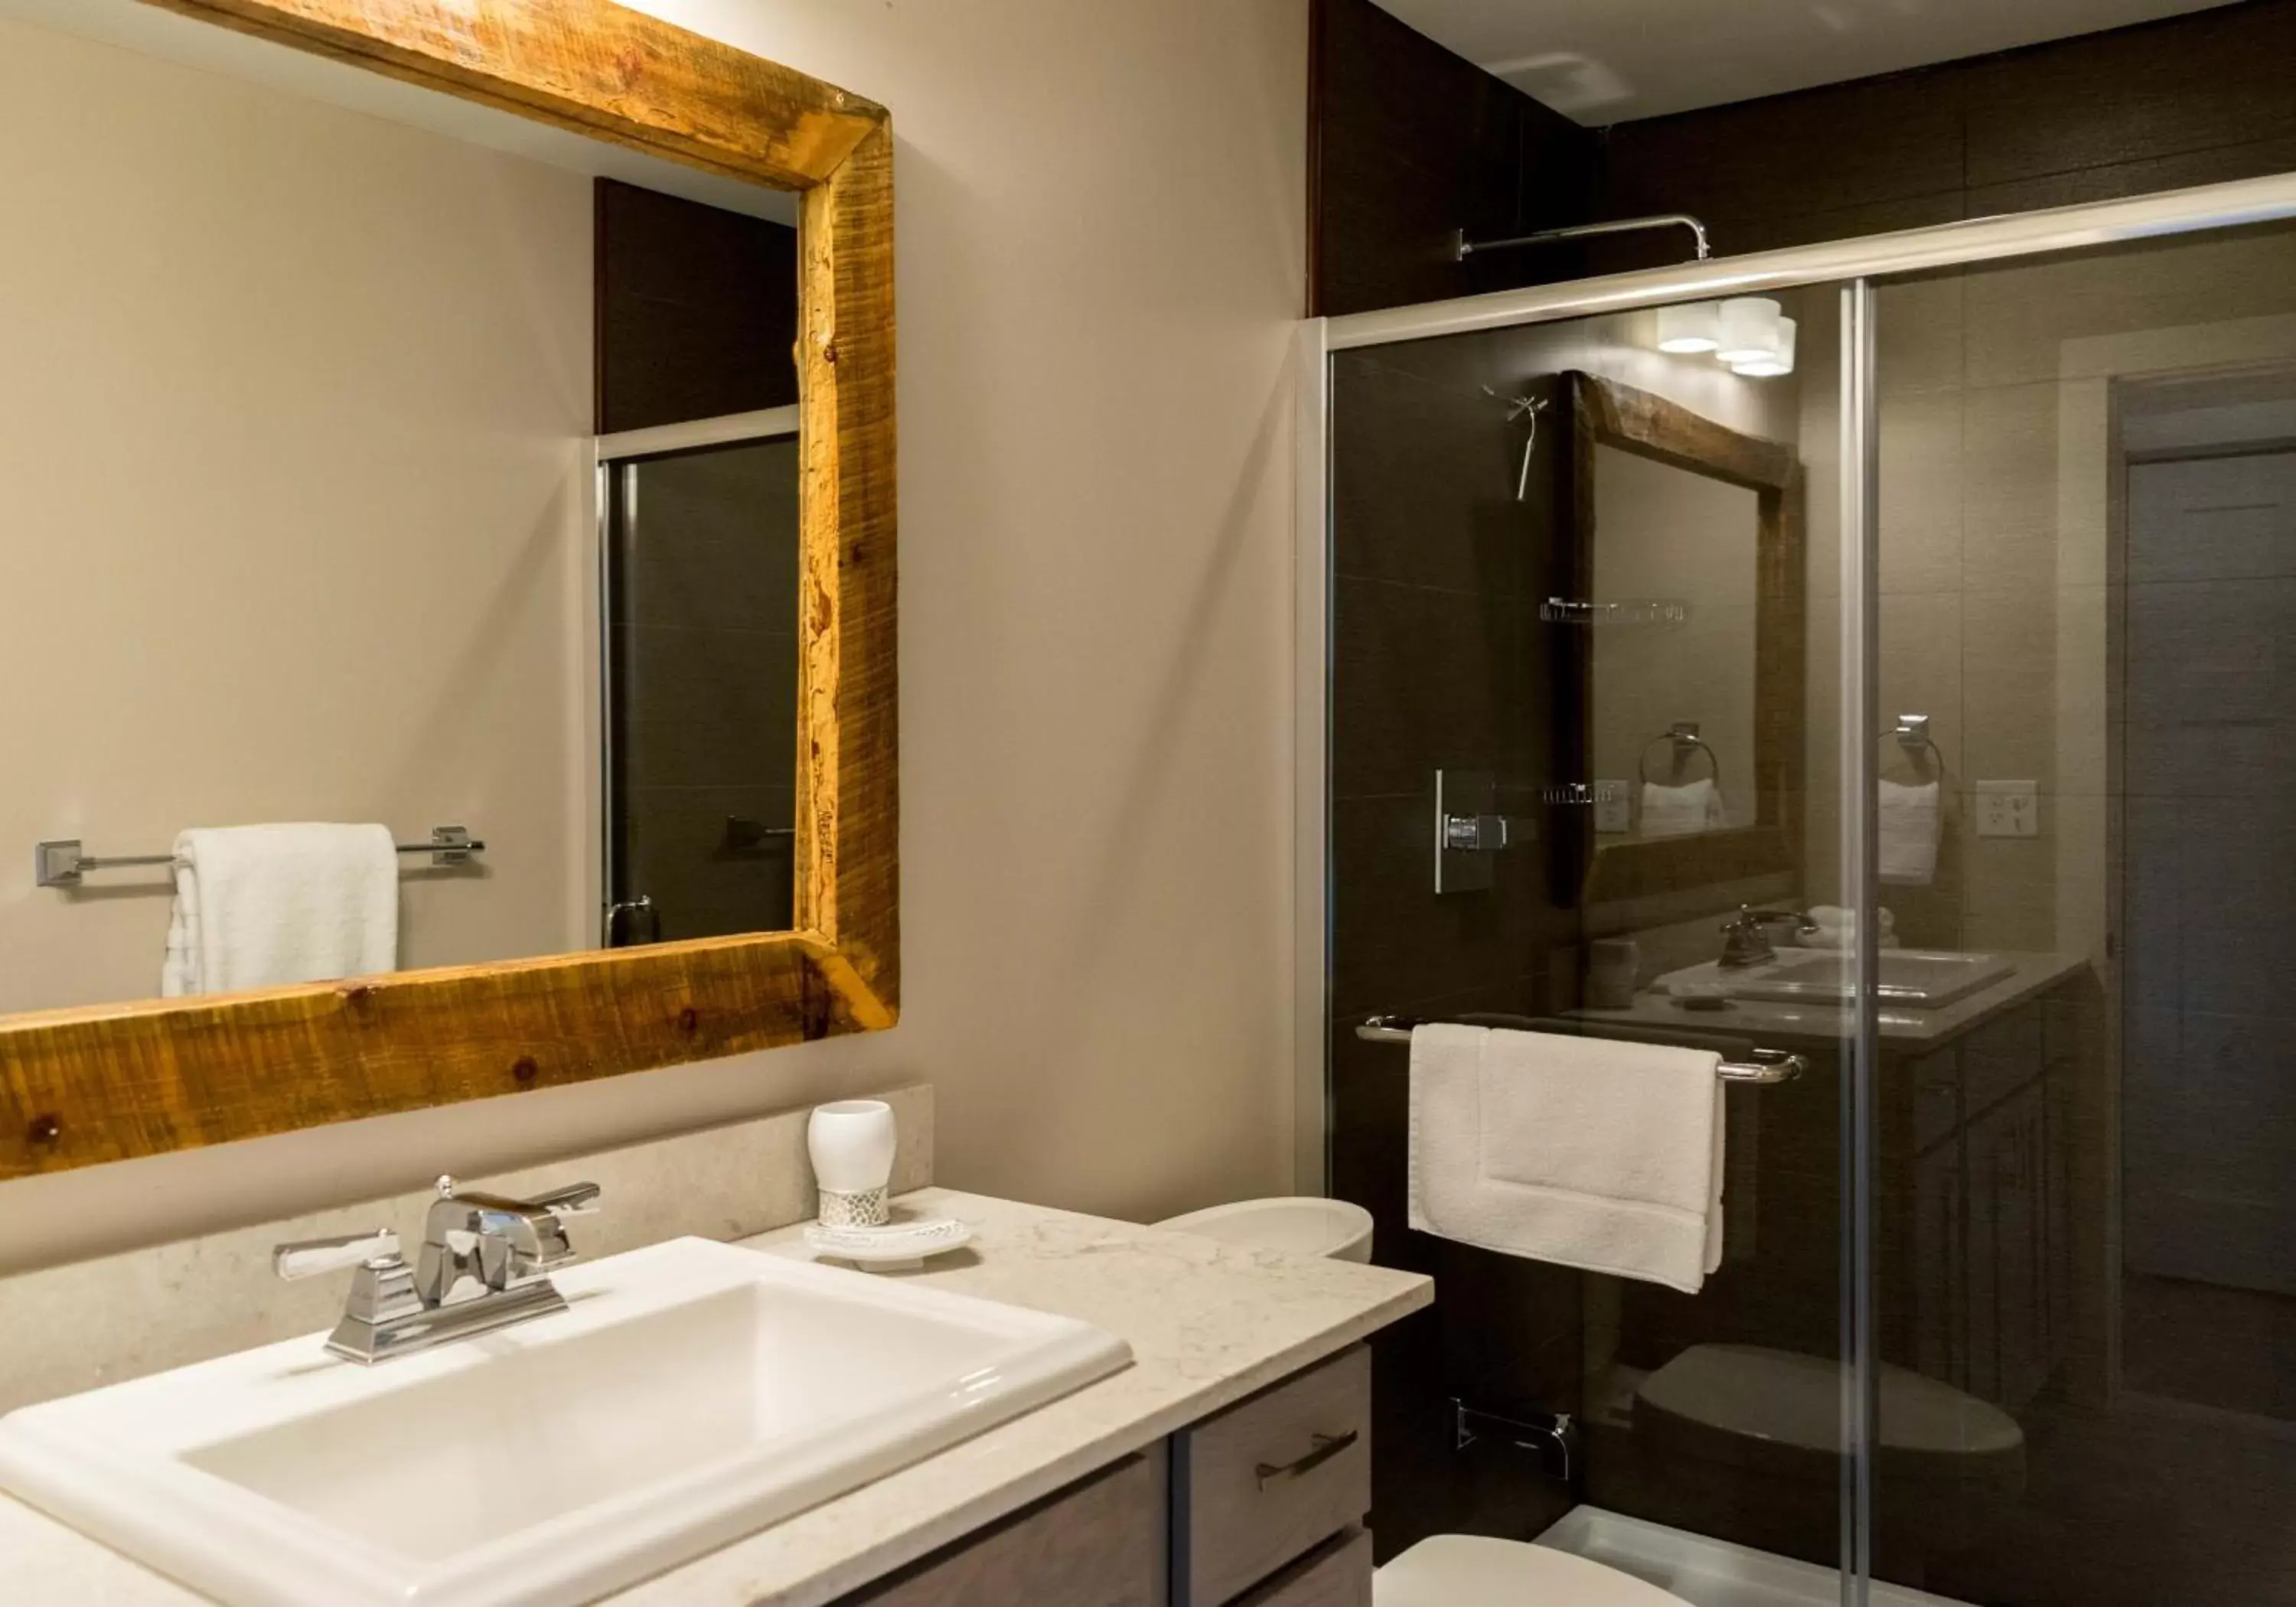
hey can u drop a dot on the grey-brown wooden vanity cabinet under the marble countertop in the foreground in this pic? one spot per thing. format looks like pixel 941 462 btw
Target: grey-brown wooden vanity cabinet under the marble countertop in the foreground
pixel 1255 1507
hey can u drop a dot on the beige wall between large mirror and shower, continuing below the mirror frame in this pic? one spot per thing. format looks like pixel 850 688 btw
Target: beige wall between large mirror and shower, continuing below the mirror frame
pixel 1101 261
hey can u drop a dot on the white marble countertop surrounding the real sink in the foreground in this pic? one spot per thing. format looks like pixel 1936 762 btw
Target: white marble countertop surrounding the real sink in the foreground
pixel 1209 1323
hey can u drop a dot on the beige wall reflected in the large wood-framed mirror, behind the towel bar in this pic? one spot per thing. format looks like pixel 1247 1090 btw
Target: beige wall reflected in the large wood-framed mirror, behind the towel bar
pixel 290 421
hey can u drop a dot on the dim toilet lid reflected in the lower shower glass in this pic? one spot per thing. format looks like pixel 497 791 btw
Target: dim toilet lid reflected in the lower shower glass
pixel 1787 1404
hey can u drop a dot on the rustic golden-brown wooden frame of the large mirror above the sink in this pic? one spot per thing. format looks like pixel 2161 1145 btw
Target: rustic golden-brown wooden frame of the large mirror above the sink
pixel 116 1082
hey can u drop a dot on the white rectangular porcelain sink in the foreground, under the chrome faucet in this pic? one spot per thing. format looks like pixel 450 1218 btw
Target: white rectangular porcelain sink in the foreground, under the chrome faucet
pixel 690 1395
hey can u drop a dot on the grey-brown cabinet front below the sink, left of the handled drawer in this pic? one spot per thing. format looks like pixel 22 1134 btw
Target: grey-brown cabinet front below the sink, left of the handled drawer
pixel 1099 1544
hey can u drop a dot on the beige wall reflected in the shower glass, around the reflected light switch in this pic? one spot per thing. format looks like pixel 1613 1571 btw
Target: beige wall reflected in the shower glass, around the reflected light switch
pixel 1999 570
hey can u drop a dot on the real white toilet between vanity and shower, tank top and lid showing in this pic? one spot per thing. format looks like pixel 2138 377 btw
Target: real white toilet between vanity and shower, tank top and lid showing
pixel 1445 1569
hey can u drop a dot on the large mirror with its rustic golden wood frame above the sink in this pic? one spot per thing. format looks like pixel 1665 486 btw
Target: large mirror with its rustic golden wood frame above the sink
pixel 465 435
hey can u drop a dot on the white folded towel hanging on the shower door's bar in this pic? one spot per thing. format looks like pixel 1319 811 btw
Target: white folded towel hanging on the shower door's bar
pixel 1588 1154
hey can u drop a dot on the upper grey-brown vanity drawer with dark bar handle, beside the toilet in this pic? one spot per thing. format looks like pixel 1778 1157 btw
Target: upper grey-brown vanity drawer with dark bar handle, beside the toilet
pixel 1271 1480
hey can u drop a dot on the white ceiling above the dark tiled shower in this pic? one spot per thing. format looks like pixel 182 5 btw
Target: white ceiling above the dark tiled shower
pixel 1615 61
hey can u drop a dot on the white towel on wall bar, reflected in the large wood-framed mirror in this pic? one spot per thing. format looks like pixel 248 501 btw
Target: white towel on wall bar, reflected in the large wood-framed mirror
pixel 274 906
